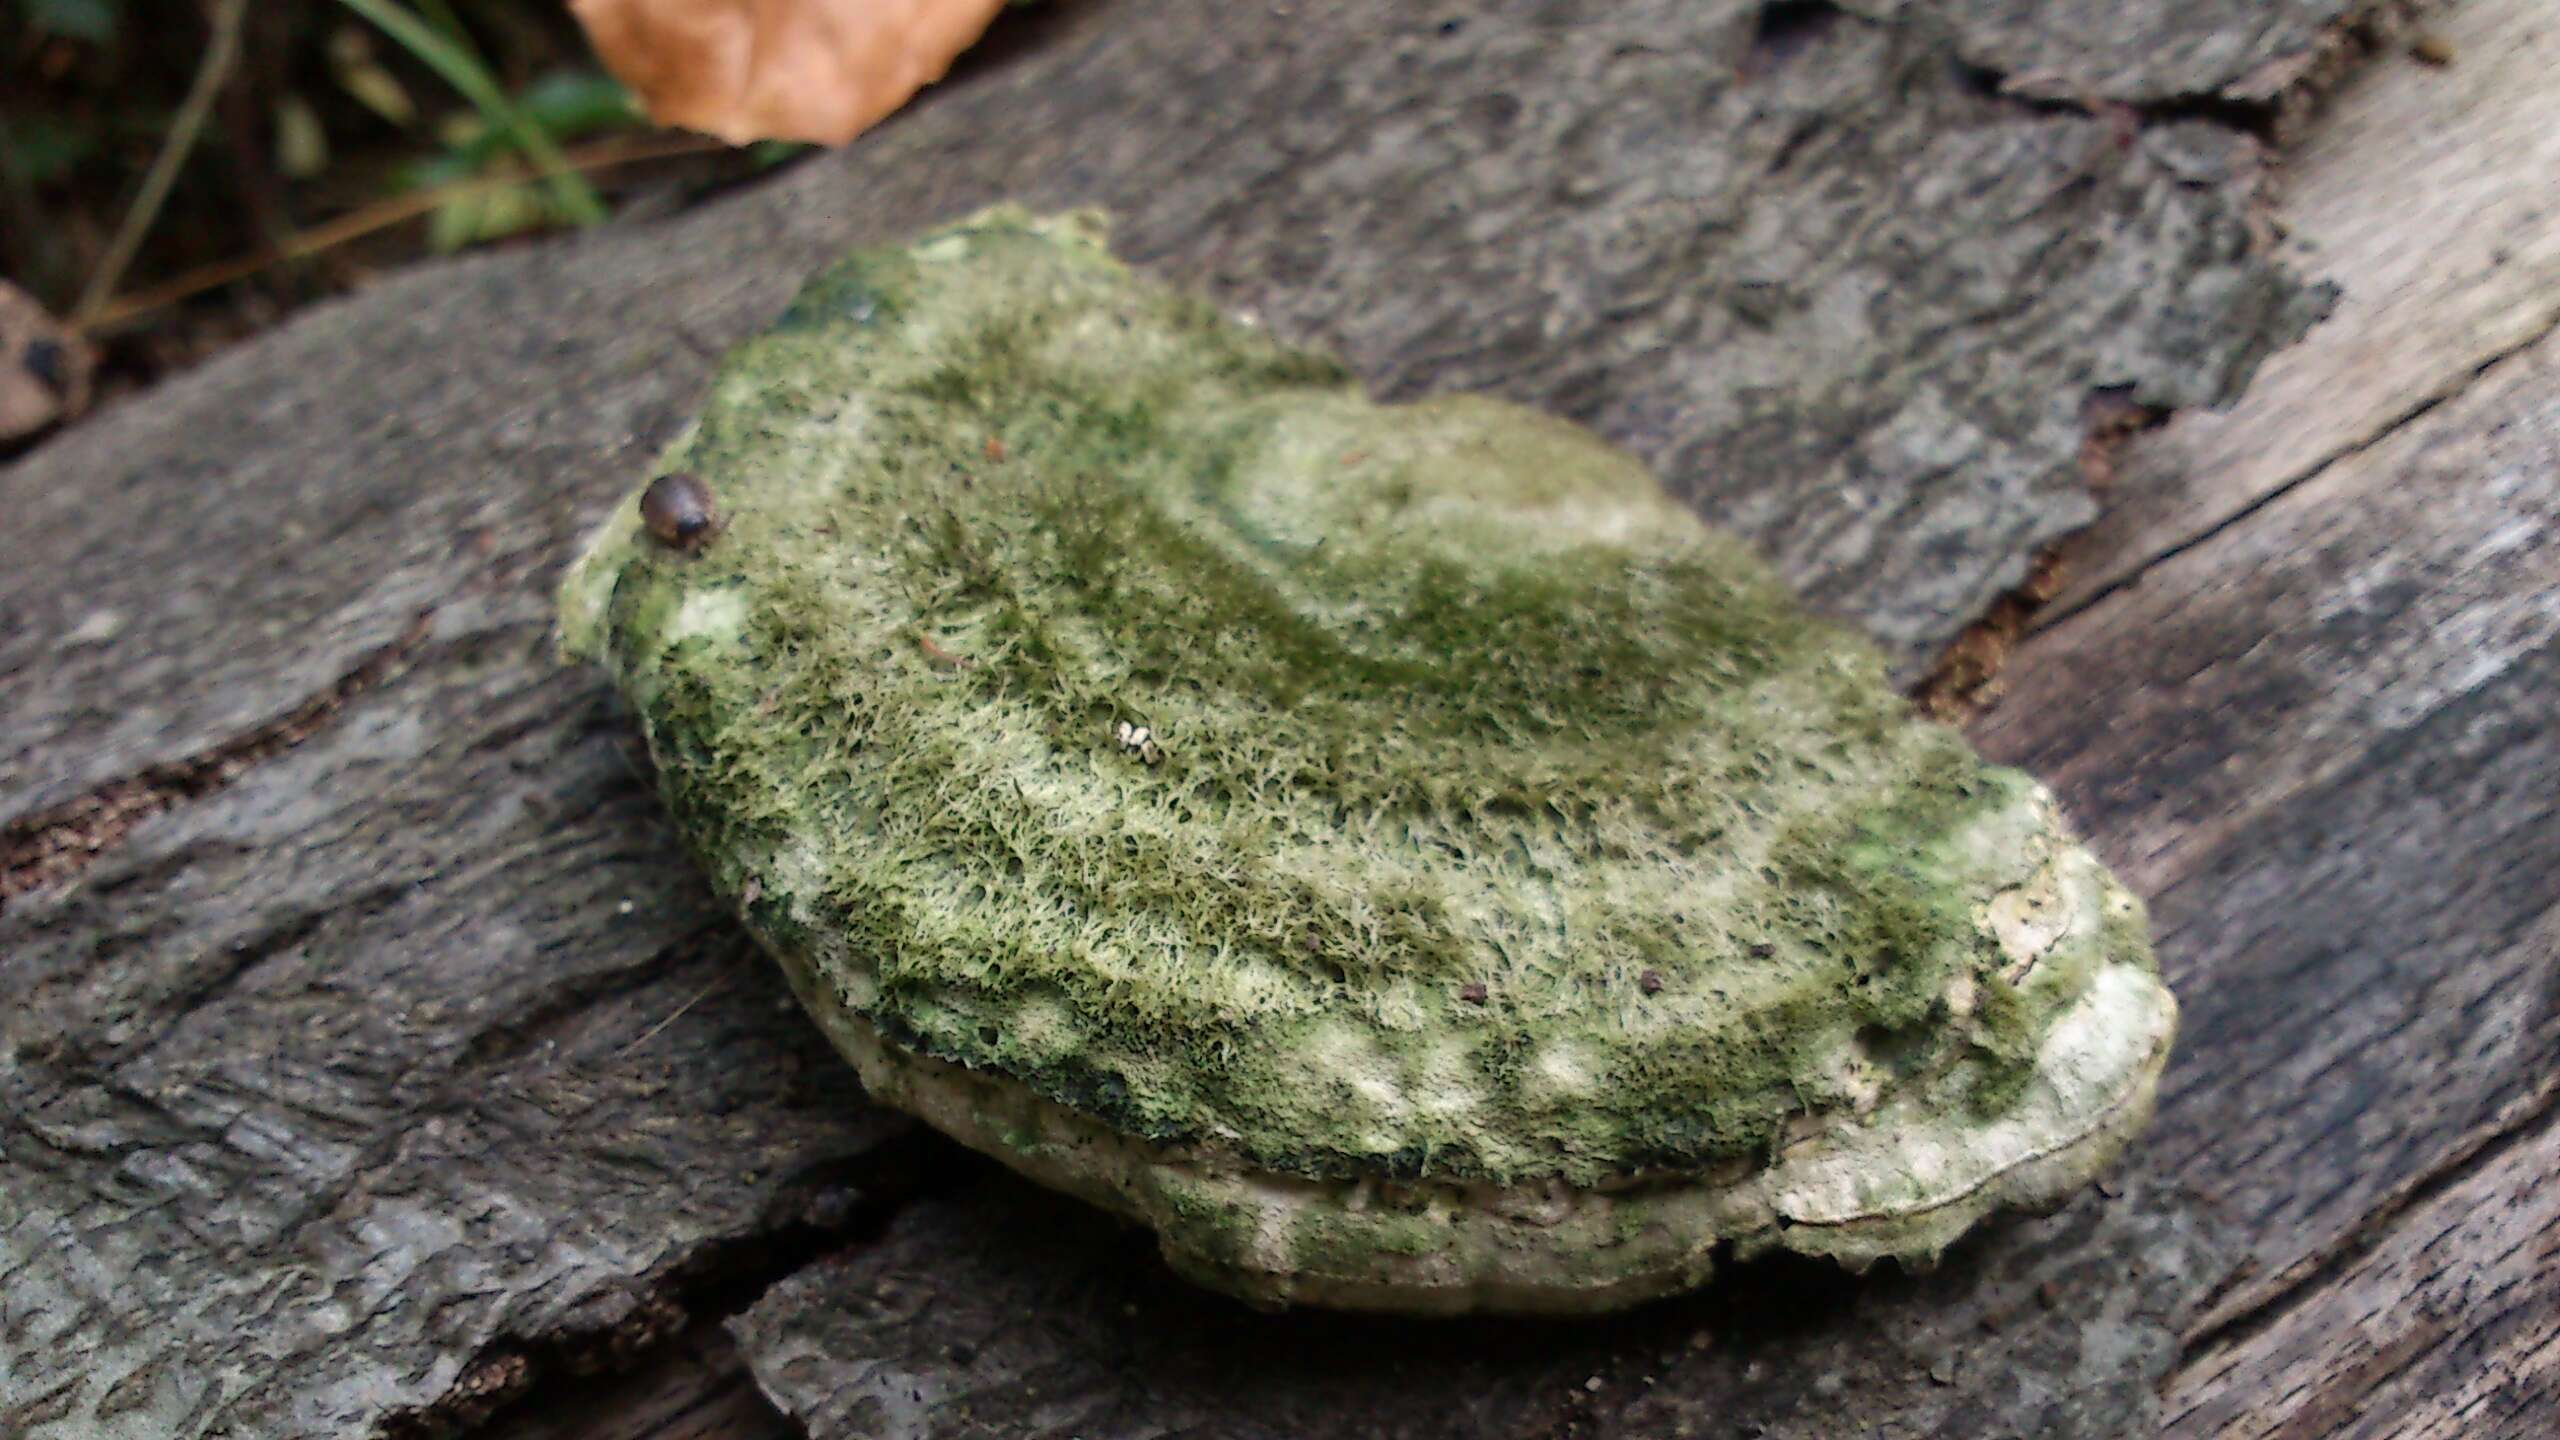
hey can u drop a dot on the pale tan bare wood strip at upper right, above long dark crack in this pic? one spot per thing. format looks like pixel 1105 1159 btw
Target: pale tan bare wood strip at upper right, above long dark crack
pixel 2433 199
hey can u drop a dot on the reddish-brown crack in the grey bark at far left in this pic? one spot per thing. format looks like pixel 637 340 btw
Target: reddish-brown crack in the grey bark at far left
pixel 55 844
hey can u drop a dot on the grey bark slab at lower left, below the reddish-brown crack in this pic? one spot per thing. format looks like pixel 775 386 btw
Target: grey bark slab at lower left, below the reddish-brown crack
pixel 411 1057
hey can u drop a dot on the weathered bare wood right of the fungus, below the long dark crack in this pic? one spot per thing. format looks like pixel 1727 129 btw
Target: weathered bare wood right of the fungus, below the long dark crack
pixel 2323 744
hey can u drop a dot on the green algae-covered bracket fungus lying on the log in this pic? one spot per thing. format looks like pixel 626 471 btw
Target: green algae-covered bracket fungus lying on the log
pixel 1391 849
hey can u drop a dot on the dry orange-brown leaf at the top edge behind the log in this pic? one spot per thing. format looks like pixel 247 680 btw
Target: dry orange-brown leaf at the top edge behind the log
pixel 780 70
